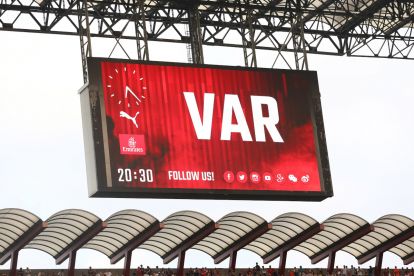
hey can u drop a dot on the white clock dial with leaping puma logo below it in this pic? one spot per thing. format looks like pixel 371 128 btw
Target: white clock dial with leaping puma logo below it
pixel 130 96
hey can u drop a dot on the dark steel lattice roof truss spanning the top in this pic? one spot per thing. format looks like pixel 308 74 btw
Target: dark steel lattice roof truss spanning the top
pixel 289 29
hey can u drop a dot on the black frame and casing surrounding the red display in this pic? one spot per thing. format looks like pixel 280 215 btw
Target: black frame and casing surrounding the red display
pixel 97 148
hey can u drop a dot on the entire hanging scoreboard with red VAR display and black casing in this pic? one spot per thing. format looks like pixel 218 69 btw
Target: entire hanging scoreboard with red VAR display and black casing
pixel 167 130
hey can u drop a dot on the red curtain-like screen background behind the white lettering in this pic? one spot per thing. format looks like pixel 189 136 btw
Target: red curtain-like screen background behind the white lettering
pixel 170 138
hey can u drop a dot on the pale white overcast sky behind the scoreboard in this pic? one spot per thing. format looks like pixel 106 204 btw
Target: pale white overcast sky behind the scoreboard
pixel 368 112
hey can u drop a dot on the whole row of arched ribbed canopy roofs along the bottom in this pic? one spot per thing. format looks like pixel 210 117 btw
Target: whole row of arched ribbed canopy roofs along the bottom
pixel 70 230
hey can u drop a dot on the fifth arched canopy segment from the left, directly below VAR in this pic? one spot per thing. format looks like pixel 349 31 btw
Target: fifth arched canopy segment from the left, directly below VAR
pixel 235 230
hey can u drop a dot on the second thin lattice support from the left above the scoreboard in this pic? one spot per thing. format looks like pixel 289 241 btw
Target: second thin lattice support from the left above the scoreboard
pixel 141 32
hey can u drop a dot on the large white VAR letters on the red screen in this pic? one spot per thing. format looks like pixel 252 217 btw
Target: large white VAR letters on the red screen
pixel 202 120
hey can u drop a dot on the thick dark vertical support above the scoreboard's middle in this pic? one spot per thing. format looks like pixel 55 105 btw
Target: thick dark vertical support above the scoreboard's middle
pixel 196 38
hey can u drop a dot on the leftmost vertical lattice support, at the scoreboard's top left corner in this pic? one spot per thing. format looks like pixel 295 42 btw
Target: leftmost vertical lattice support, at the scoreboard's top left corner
pixel 84 37
